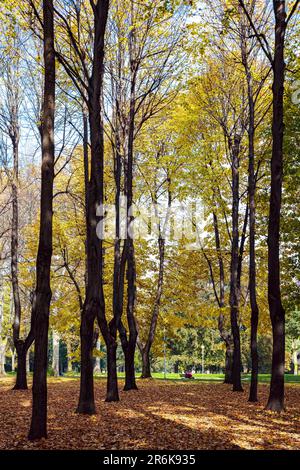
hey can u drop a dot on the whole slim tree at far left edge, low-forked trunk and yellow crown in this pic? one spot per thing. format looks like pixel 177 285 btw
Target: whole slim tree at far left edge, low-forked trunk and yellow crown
pixel 10 125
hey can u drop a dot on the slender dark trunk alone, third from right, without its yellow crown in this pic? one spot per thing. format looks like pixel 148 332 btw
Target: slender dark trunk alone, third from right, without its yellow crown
pixel 234 291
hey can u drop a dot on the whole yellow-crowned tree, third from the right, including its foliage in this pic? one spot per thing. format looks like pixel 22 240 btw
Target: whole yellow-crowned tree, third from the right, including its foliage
pixel 227 110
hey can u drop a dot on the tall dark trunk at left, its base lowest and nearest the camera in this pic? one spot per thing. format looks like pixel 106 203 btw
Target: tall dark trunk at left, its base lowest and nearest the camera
pixel 42 298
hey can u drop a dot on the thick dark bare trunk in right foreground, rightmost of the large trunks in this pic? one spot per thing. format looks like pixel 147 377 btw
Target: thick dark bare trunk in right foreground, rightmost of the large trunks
pixel 277 313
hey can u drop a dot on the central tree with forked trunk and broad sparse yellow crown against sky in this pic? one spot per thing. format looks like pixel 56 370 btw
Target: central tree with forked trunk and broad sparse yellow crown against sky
pixel 137 93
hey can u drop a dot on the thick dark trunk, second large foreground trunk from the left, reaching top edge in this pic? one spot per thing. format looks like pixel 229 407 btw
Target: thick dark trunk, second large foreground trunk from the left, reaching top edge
pixel 94 305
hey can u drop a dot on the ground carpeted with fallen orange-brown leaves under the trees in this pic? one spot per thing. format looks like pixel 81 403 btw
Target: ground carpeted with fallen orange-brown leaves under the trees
pixel 161 415
